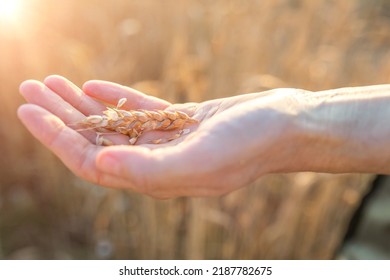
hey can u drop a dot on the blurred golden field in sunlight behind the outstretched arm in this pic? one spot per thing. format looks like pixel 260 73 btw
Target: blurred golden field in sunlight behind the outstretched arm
pixel 181 51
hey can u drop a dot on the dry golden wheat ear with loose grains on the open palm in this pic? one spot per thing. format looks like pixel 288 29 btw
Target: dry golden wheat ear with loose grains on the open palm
pixel 135 122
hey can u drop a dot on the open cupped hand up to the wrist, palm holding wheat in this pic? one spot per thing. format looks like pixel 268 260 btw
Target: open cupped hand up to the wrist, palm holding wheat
pixel 237 139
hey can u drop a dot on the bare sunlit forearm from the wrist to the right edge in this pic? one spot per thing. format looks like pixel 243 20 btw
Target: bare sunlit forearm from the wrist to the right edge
pixel 345 130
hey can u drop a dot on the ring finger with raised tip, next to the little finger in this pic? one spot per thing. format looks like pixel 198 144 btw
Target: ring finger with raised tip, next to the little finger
pixel 74 95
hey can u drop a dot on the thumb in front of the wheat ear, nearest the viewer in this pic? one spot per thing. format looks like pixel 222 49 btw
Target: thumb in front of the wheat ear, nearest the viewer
pixel 162 173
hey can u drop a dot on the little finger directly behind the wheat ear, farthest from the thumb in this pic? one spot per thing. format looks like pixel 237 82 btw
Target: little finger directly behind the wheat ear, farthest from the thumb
pixel 110 93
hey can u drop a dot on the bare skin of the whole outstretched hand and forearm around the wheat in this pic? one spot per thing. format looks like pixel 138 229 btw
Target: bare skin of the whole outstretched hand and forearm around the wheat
pixel 237 139
